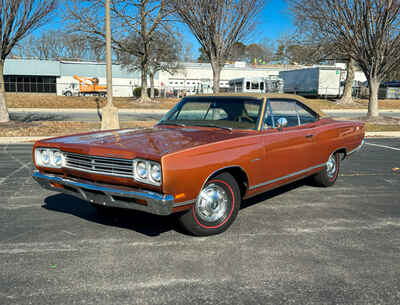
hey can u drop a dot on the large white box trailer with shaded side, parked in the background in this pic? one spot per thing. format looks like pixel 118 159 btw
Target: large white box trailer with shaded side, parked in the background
pixel 314 82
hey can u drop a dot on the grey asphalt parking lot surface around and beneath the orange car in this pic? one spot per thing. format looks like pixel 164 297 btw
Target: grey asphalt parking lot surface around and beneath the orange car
pixel 295 245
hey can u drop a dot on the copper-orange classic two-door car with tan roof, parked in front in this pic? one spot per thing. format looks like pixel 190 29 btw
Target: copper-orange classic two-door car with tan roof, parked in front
pixel 202 159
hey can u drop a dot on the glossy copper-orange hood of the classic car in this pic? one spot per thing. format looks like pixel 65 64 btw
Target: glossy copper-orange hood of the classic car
pixel 147 143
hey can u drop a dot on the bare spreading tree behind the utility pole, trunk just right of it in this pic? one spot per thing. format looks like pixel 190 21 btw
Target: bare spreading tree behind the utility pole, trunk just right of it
pixel 139 18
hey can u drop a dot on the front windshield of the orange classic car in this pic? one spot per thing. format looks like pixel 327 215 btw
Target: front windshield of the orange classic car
pixel 218 112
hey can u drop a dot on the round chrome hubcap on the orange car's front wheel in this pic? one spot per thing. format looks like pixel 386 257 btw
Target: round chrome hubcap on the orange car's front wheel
pixel 212 203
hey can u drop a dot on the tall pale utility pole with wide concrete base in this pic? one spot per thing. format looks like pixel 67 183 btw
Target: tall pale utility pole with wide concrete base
pixel 109 113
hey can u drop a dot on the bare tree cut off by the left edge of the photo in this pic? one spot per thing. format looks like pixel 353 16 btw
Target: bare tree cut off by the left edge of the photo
pixel 18 18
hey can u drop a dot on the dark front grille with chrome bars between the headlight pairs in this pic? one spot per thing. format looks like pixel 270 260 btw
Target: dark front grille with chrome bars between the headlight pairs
pixel 99 165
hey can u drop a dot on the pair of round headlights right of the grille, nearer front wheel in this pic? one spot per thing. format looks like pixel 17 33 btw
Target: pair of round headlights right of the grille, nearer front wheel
pixel 147 171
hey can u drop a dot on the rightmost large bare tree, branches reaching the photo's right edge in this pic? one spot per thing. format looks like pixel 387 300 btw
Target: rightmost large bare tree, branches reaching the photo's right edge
pixel 367 31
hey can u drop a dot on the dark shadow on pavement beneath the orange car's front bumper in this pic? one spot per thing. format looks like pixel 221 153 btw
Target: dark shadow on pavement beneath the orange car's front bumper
pixel 144 223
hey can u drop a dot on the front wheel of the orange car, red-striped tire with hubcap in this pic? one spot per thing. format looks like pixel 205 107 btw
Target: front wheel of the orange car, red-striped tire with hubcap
pixel 215 209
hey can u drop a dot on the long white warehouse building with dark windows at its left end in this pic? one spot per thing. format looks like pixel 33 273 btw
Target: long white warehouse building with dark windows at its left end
pixel 45 76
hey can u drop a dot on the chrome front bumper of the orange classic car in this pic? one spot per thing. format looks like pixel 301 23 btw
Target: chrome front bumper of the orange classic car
pixel 112 196
